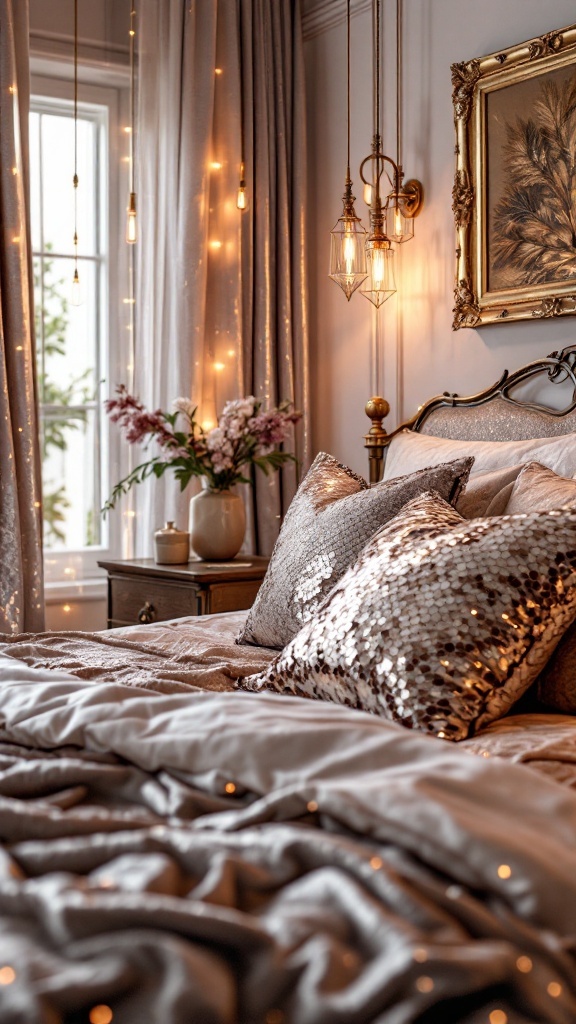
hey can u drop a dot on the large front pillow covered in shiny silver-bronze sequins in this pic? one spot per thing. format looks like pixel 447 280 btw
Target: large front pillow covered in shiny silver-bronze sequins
pixel 442 624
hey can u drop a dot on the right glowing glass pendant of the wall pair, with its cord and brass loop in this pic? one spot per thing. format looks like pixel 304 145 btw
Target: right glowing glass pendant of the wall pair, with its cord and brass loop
pixel 381 284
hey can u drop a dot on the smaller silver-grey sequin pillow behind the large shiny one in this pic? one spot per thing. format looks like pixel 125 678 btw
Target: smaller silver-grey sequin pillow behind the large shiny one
pixel 331 520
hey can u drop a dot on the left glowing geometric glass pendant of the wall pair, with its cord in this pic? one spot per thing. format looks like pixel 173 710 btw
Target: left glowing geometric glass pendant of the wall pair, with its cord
pixel 348 257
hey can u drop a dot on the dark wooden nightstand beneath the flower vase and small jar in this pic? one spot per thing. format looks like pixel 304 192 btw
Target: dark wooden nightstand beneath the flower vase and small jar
pixel 141 591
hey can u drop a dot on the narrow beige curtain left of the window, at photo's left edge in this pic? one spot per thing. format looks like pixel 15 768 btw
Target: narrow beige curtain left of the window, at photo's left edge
pixel 22 602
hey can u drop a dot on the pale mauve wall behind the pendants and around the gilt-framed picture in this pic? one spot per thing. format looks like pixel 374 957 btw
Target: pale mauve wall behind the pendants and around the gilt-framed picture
pixel 422 355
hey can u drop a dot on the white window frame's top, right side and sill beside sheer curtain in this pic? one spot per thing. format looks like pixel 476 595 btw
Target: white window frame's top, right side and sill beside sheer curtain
pixel 51 86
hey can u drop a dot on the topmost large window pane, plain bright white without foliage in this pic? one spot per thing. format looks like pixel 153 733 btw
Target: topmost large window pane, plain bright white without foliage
pixel 58 188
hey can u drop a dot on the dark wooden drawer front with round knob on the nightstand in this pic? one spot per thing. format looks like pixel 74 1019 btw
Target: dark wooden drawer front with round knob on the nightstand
pixel 134 601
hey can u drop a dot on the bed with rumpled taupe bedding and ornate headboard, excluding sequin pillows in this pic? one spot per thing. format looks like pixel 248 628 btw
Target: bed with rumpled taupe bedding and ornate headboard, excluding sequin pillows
pixel 176 849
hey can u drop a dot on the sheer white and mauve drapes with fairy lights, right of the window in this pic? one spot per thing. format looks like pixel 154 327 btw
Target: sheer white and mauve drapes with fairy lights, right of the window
pixel 221 296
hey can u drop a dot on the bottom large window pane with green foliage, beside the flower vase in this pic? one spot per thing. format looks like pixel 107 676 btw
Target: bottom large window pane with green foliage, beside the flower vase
pixel 71 482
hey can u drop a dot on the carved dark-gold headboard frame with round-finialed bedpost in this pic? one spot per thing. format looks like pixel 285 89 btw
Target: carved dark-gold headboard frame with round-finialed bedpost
pixel 557 368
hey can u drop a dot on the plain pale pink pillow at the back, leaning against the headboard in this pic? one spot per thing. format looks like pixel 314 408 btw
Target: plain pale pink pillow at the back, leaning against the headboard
pixel 410 451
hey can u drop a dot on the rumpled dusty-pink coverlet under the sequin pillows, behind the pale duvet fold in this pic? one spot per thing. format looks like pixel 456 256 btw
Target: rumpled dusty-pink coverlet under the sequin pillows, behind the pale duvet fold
pixel 192 654
